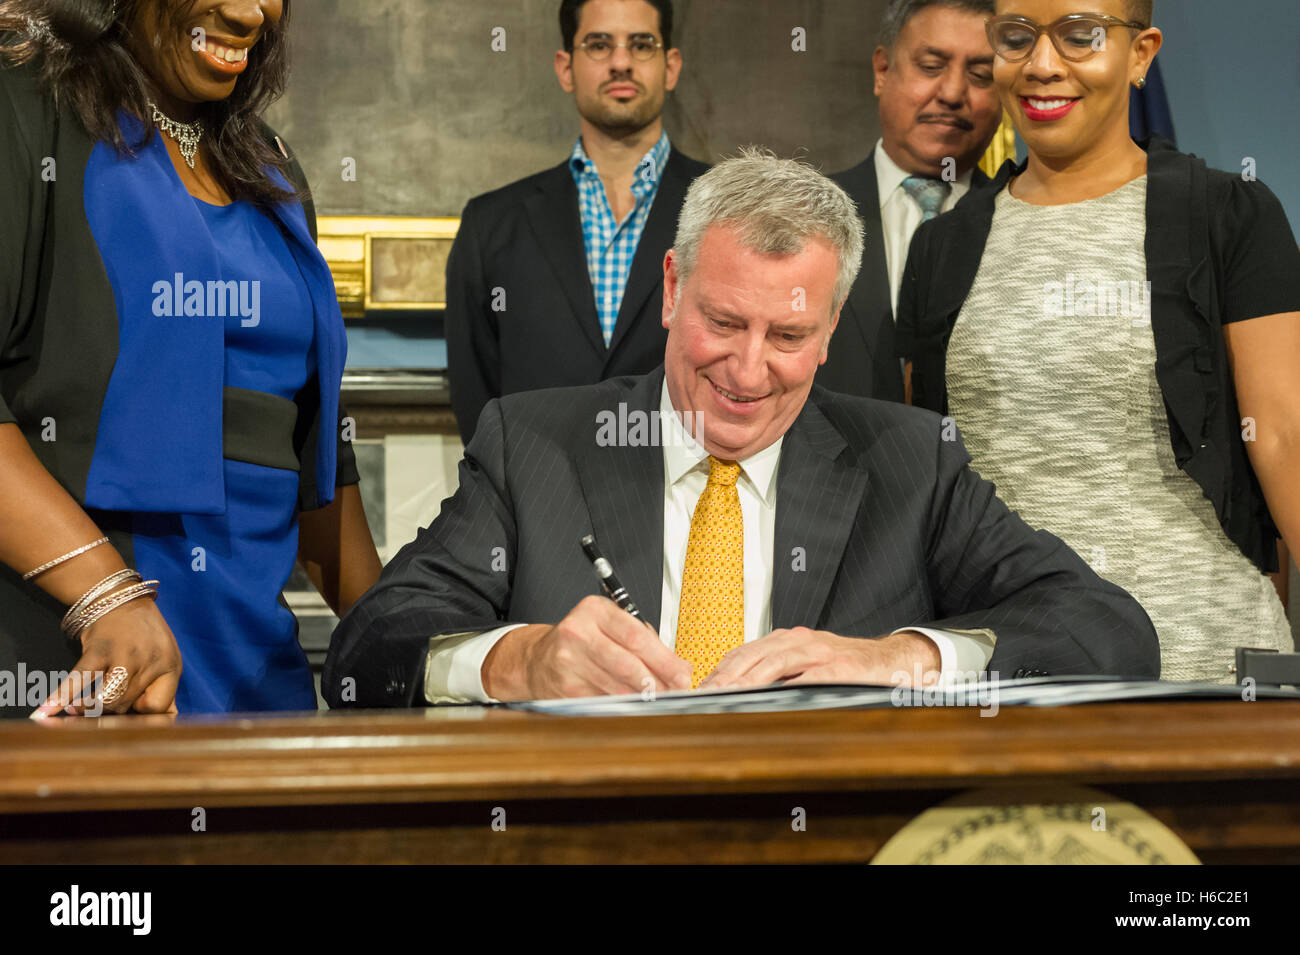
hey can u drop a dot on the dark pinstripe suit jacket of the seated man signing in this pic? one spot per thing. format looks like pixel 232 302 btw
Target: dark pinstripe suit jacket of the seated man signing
pixel 881 524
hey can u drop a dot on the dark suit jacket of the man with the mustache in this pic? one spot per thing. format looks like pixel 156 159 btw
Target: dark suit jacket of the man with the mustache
pixel 863 359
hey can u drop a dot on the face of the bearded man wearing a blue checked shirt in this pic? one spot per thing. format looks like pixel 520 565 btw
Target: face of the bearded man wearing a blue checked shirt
pixel 619 94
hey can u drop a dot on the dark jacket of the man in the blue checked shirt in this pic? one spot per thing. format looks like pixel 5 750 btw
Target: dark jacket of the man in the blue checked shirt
pixel 527 240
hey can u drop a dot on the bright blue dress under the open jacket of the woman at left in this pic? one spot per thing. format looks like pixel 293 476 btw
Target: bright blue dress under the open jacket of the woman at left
pixel 222 575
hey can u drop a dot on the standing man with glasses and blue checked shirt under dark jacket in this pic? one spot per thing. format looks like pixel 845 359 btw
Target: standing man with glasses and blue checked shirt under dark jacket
pixel 557 279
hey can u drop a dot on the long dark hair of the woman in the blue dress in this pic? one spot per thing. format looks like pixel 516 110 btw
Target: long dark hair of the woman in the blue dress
pixel 81 50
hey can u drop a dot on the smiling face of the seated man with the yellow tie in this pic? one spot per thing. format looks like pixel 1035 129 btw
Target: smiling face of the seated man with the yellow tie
pixel 742 353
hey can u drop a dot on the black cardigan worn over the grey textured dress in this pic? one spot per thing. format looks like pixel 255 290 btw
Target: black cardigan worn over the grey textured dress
pixel 1191 224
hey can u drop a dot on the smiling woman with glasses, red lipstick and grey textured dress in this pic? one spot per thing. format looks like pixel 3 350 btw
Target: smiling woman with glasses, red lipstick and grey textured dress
pixel 1116 332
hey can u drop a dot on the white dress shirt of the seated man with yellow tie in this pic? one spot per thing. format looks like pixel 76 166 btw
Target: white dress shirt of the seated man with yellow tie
pixel 454 670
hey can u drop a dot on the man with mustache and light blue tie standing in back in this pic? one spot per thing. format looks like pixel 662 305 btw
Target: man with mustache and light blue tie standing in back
pixel 939 111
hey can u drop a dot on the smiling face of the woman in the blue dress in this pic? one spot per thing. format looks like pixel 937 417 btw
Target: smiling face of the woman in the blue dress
pixel 197 50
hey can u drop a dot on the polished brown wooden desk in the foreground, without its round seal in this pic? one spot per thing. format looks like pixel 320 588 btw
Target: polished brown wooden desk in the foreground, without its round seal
pixel 424 785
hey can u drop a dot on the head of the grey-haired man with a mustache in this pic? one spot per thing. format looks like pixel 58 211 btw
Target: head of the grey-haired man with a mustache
pixel 937 92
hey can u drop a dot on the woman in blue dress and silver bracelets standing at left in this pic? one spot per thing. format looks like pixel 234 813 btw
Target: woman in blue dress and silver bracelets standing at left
pixel 171 358
